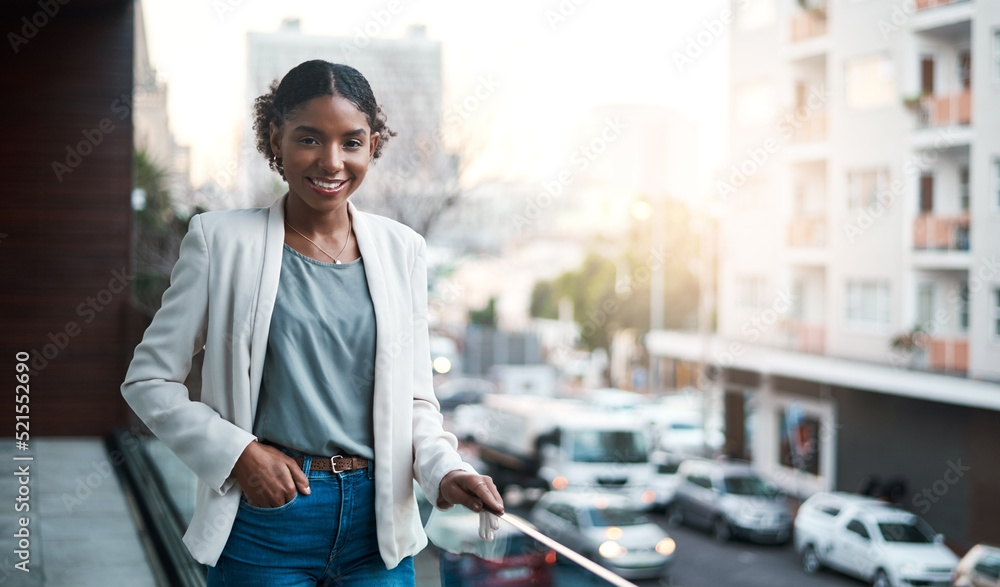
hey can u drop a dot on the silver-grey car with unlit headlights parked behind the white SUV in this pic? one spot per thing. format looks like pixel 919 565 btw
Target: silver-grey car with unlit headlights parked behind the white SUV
pixel 729 499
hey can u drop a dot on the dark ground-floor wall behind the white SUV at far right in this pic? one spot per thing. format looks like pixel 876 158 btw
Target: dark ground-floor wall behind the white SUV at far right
pixel 947 455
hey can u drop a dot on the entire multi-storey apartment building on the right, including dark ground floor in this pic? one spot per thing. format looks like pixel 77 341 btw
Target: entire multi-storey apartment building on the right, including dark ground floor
pixel 858 312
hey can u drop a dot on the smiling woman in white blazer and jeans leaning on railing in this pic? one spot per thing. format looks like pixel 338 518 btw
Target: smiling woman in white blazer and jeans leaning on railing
pixel 316 411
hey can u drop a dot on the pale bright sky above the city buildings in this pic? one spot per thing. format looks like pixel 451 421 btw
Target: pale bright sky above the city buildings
pixel 552 62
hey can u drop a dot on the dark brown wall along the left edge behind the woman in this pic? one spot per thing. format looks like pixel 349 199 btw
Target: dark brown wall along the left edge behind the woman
pixel 66 240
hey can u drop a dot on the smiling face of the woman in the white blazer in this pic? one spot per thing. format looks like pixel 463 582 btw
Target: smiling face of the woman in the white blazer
pixel 325 149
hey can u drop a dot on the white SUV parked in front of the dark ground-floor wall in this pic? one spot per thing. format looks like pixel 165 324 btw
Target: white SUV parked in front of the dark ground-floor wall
pixel 871 540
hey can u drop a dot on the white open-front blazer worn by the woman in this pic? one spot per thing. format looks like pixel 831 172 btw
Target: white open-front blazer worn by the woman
pixel 221 296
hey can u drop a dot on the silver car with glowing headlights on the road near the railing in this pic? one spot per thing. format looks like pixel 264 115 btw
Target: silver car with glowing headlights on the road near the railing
pixel 606 528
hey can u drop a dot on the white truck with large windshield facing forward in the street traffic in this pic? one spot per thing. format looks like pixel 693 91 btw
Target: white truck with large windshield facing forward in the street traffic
pixel 563 443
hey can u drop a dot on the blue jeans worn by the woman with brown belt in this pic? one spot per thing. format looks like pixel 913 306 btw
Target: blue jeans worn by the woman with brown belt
pixel 325 538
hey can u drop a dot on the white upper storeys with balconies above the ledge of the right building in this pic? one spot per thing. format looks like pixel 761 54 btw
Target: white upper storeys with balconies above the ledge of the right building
pixel 864 185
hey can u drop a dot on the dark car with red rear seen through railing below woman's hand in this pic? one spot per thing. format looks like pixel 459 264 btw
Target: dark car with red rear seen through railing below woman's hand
pixel 512 559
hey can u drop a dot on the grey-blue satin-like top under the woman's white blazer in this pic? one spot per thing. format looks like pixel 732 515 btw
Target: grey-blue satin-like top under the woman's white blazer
pixel 319 370
